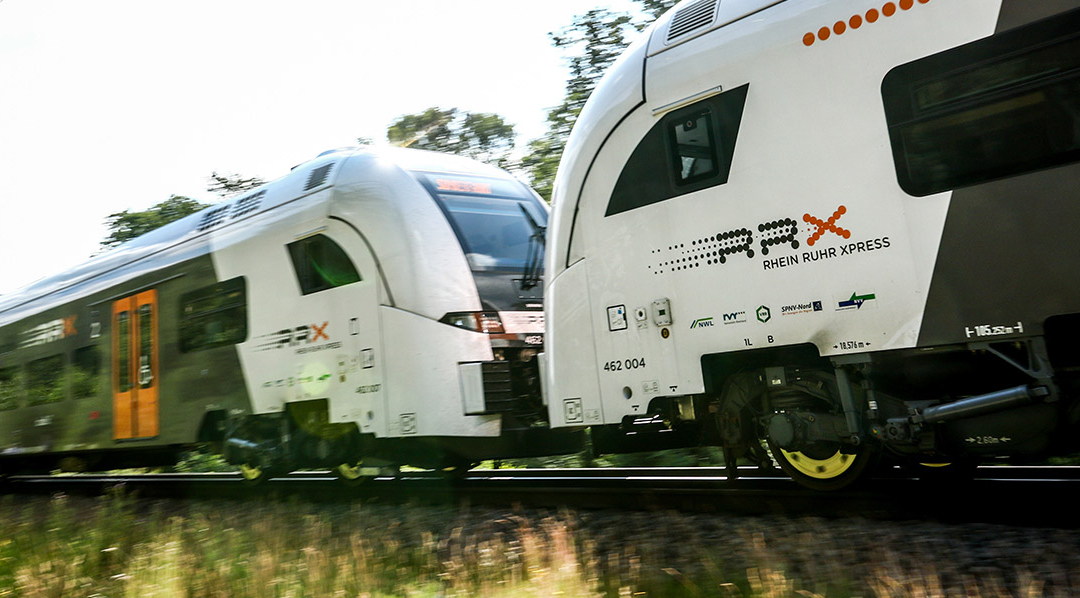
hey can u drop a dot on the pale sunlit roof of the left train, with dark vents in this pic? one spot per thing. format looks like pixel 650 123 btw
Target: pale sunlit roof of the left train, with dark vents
pixel 305 180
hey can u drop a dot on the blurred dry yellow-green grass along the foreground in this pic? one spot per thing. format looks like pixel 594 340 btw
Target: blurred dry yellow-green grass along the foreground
pixel 117 547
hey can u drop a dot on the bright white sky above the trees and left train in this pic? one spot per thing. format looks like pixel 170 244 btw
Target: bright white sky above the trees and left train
pixel 115 105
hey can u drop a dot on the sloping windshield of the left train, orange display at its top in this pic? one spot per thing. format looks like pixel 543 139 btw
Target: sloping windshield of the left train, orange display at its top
pixel 495 220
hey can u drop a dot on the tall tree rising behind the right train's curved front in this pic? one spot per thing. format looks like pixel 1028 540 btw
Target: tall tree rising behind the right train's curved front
pixel 596 39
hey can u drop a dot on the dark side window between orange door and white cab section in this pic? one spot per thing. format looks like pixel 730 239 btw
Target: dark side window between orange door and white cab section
pixel 215 316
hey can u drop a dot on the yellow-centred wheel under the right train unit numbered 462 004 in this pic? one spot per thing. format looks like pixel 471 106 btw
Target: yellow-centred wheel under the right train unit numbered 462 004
pixel 825 469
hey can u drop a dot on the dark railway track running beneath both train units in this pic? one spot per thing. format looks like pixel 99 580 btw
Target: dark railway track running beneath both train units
pixel 1041 496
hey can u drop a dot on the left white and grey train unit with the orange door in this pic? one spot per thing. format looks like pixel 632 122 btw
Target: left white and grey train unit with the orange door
pixel 371 309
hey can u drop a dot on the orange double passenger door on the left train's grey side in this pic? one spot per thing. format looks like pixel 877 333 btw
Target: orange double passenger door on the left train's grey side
pixel 136 366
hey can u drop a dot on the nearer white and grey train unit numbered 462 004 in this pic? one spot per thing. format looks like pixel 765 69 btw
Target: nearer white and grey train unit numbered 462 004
pixel 828 236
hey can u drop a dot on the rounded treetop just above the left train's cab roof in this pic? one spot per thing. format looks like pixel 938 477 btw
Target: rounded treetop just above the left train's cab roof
pixel 479 135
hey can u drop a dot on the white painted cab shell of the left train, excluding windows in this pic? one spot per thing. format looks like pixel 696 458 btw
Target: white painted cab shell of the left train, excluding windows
pixel 375 349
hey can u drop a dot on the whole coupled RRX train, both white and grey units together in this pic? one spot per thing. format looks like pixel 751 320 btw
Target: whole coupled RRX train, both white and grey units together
pixel 823 235
